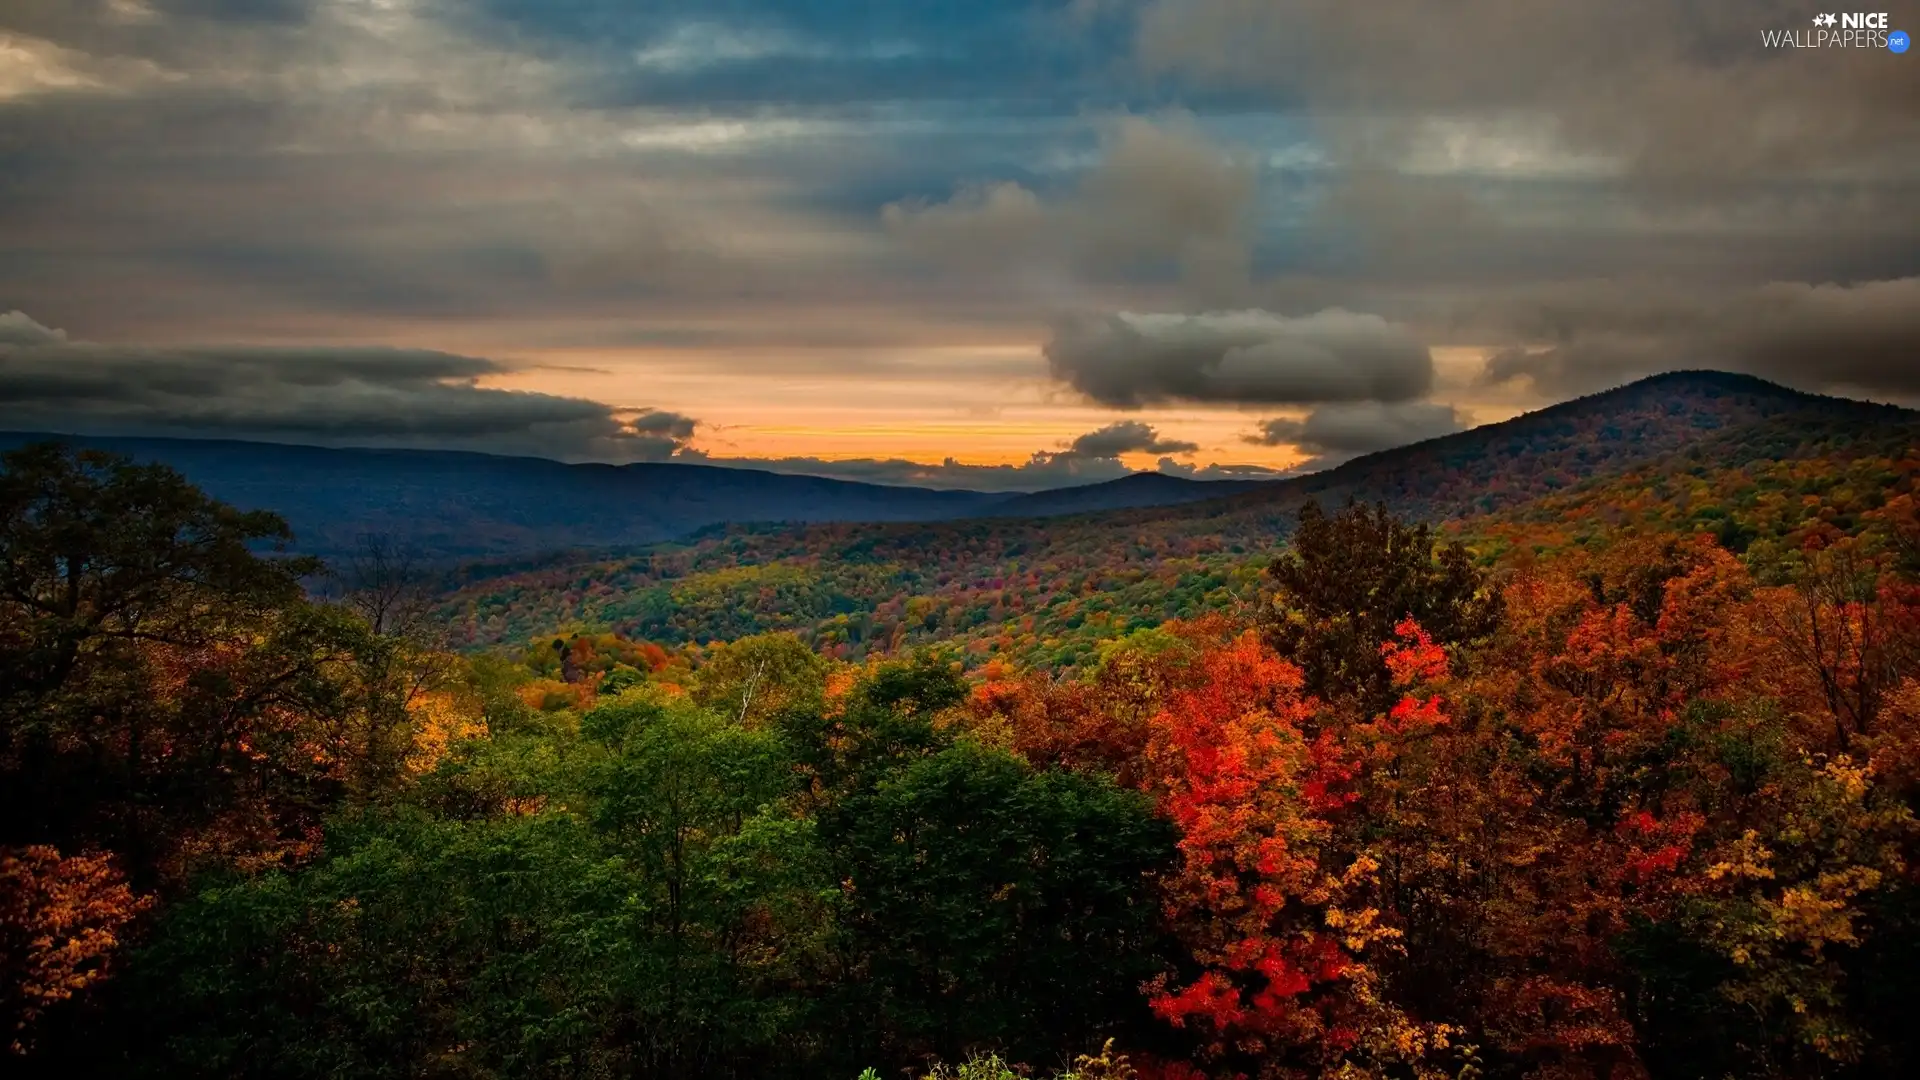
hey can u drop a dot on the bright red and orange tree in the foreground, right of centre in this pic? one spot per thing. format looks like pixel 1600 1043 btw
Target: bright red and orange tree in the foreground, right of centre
pixel 1272 910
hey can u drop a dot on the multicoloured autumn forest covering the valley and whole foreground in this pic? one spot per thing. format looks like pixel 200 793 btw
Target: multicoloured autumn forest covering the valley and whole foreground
pixel 1610 779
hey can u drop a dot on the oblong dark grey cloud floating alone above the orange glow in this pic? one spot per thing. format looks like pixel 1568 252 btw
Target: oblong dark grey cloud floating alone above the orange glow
pixel 1134 360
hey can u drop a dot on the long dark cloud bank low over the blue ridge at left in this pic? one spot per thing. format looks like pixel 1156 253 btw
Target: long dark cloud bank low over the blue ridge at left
pixel 364 397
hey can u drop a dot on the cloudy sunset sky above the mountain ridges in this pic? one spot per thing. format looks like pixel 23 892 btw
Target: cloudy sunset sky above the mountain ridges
pixel 959 243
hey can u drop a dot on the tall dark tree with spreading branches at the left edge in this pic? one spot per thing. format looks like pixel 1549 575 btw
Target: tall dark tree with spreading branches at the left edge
pixel 149 670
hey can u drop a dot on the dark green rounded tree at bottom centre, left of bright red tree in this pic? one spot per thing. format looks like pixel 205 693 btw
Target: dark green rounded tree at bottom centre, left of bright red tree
pixel 997 904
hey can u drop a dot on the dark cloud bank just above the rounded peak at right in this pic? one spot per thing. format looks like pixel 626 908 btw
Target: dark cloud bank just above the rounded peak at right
pixel 1861 337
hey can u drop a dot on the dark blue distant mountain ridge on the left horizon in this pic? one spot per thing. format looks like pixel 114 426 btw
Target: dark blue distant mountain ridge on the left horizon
pixel 454 504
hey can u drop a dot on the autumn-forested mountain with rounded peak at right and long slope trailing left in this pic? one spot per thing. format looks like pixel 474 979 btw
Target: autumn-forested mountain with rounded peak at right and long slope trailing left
pixel 1045 591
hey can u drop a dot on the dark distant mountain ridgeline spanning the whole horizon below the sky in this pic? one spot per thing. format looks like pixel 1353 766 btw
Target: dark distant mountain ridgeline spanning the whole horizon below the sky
pixel 475 506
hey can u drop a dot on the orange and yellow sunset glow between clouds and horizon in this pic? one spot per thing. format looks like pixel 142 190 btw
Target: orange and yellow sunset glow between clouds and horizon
pixel 923 405
